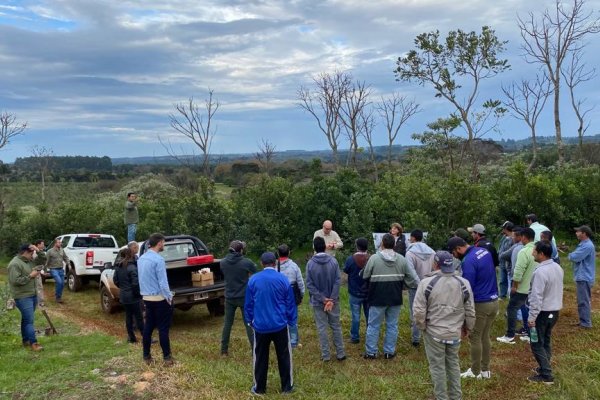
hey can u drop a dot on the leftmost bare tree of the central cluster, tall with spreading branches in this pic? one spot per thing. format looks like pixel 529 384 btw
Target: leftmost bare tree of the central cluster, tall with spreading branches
pixel 324 103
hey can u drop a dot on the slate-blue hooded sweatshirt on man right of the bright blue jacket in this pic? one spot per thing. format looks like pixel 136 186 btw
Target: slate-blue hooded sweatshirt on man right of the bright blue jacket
pixel 323 279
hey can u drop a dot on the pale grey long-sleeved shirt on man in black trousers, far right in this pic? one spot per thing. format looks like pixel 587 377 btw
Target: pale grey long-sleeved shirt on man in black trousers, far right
pixel 546 289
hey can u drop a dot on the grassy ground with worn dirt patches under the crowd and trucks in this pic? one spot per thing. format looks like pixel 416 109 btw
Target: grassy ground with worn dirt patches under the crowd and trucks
pixel 90 359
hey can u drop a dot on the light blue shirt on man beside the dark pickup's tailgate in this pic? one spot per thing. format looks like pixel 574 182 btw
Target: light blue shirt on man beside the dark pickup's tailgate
pixel 152 274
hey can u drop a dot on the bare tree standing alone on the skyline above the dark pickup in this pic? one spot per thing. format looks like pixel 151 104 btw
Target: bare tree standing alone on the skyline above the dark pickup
pixel 197 124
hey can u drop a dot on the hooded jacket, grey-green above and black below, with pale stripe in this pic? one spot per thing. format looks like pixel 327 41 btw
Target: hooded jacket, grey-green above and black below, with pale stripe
pixel 387 271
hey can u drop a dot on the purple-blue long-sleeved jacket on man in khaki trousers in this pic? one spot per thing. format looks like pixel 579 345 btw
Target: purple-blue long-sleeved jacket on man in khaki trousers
pixel 478 268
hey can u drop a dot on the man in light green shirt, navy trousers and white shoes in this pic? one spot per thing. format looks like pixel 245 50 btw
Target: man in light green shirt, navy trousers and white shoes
pixel 521 281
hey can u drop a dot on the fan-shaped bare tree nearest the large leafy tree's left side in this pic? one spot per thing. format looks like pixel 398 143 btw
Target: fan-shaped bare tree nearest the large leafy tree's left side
pixel 395 111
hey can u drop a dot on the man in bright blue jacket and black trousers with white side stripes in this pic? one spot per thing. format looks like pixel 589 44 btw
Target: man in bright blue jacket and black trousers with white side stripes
pixel 270 308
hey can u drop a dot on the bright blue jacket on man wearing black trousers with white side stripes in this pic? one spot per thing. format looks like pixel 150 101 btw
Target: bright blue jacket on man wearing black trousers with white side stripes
pixel 270 305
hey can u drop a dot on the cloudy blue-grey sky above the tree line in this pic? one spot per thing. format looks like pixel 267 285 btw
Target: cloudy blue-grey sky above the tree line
pixel 100 77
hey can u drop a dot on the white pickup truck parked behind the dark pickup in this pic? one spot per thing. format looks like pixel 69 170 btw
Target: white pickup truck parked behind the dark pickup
pixel 87 252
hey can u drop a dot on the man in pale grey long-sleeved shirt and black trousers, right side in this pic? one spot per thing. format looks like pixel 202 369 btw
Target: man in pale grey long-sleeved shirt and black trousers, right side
pixel 545 301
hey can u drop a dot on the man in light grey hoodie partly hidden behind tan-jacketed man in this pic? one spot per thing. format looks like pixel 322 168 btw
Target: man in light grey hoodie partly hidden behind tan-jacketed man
pixel 420 256
